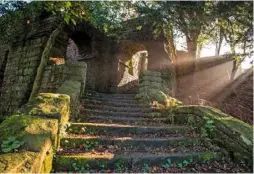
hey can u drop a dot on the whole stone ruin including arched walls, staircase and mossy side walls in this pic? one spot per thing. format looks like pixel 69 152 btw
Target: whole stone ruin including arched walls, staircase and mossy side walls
pixel 82 56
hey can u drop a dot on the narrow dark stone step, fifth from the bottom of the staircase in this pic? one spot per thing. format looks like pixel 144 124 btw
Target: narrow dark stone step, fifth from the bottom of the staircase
pixel 88 112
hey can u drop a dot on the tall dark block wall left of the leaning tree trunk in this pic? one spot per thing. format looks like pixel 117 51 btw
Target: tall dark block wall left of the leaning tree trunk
pixel 22 62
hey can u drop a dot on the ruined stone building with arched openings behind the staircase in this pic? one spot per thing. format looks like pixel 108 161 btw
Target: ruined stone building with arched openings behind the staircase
pixel 113 64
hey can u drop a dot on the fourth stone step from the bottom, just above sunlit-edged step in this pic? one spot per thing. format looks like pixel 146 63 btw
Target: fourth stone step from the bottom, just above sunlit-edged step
pixel 124 120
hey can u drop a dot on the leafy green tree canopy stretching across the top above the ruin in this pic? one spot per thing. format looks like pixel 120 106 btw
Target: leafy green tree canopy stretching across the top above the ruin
pixel 199 21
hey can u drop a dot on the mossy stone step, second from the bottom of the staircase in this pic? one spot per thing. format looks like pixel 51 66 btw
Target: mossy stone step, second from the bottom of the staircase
pixel 128 142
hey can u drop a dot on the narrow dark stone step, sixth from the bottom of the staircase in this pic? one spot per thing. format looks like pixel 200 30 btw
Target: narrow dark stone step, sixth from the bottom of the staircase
pixel 119 109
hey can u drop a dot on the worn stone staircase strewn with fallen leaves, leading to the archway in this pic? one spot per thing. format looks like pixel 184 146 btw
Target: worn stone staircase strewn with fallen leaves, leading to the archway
pixel 114 133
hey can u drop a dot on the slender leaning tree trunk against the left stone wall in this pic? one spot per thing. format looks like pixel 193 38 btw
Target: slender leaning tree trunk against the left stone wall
pixel 43 63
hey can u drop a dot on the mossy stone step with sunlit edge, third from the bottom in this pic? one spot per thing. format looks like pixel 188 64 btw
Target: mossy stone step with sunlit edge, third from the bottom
pixel 125 130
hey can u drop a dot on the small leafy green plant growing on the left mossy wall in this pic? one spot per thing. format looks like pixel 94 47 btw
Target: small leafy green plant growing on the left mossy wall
pixel 11 144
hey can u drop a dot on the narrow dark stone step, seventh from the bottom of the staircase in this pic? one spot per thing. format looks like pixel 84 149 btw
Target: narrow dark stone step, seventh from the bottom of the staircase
pixel 115 103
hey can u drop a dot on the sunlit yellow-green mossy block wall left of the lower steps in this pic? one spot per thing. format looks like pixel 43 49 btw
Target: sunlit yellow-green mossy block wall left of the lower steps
pixel 38 124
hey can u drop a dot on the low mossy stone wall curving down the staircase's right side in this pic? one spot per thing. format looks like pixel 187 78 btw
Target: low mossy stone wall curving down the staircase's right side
pixel 229 133
